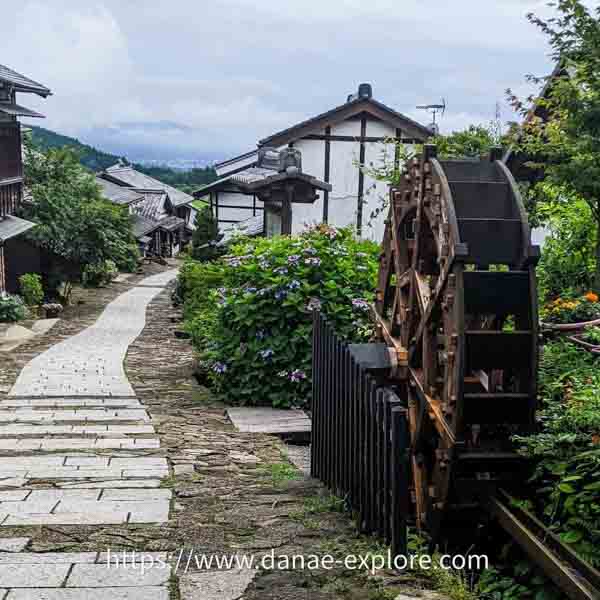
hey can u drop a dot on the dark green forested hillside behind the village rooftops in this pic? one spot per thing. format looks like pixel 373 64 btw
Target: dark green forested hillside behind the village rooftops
pixel 96 161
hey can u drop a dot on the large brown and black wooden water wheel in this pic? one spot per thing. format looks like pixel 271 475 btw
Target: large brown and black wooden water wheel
pixel 456 302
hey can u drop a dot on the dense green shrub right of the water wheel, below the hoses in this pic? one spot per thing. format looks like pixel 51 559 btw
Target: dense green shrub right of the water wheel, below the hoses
pixel 567 449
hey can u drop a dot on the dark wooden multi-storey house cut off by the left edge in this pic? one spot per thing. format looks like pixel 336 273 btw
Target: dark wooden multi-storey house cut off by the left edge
pixel 11 168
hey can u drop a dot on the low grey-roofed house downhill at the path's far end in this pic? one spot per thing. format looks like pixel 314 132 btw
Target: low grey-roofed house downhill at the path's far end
pixel 163 218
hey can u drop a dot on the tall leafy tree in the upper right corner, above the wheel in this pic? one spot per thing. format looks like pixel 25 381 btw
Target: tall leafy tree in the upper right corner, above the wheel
pixel 561 133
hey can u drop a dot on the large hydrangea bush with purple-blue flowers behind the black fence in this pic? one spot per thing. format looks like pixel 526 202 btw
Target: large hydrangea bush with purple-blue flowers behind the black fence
pixel 250 313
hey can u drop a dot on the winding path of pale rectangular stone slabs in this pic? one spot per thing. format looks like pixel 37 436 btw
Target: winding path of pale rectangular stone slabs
pixel 74 443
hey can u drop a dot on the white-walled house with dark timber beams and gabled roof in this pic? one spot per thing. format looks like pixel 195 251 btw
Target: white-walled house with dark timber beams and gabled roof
pixel 334 145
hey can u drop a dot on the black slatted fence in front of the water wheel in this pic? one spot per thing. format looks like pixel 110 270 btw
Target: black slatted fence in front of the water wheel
pixel 360 438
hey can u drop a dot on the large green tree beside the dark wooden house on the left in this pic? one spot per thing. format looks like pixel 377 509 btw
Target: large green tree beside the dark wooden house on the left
pixel 73 220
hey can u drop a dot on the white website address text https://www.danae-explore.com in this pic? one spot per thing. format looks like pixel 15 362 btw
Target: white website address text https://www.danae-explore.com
pixel 185 560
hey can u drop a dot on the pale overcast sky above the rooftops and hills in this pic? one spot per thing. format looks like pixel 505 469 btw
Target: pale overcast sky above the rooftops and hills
pixel 192 78
